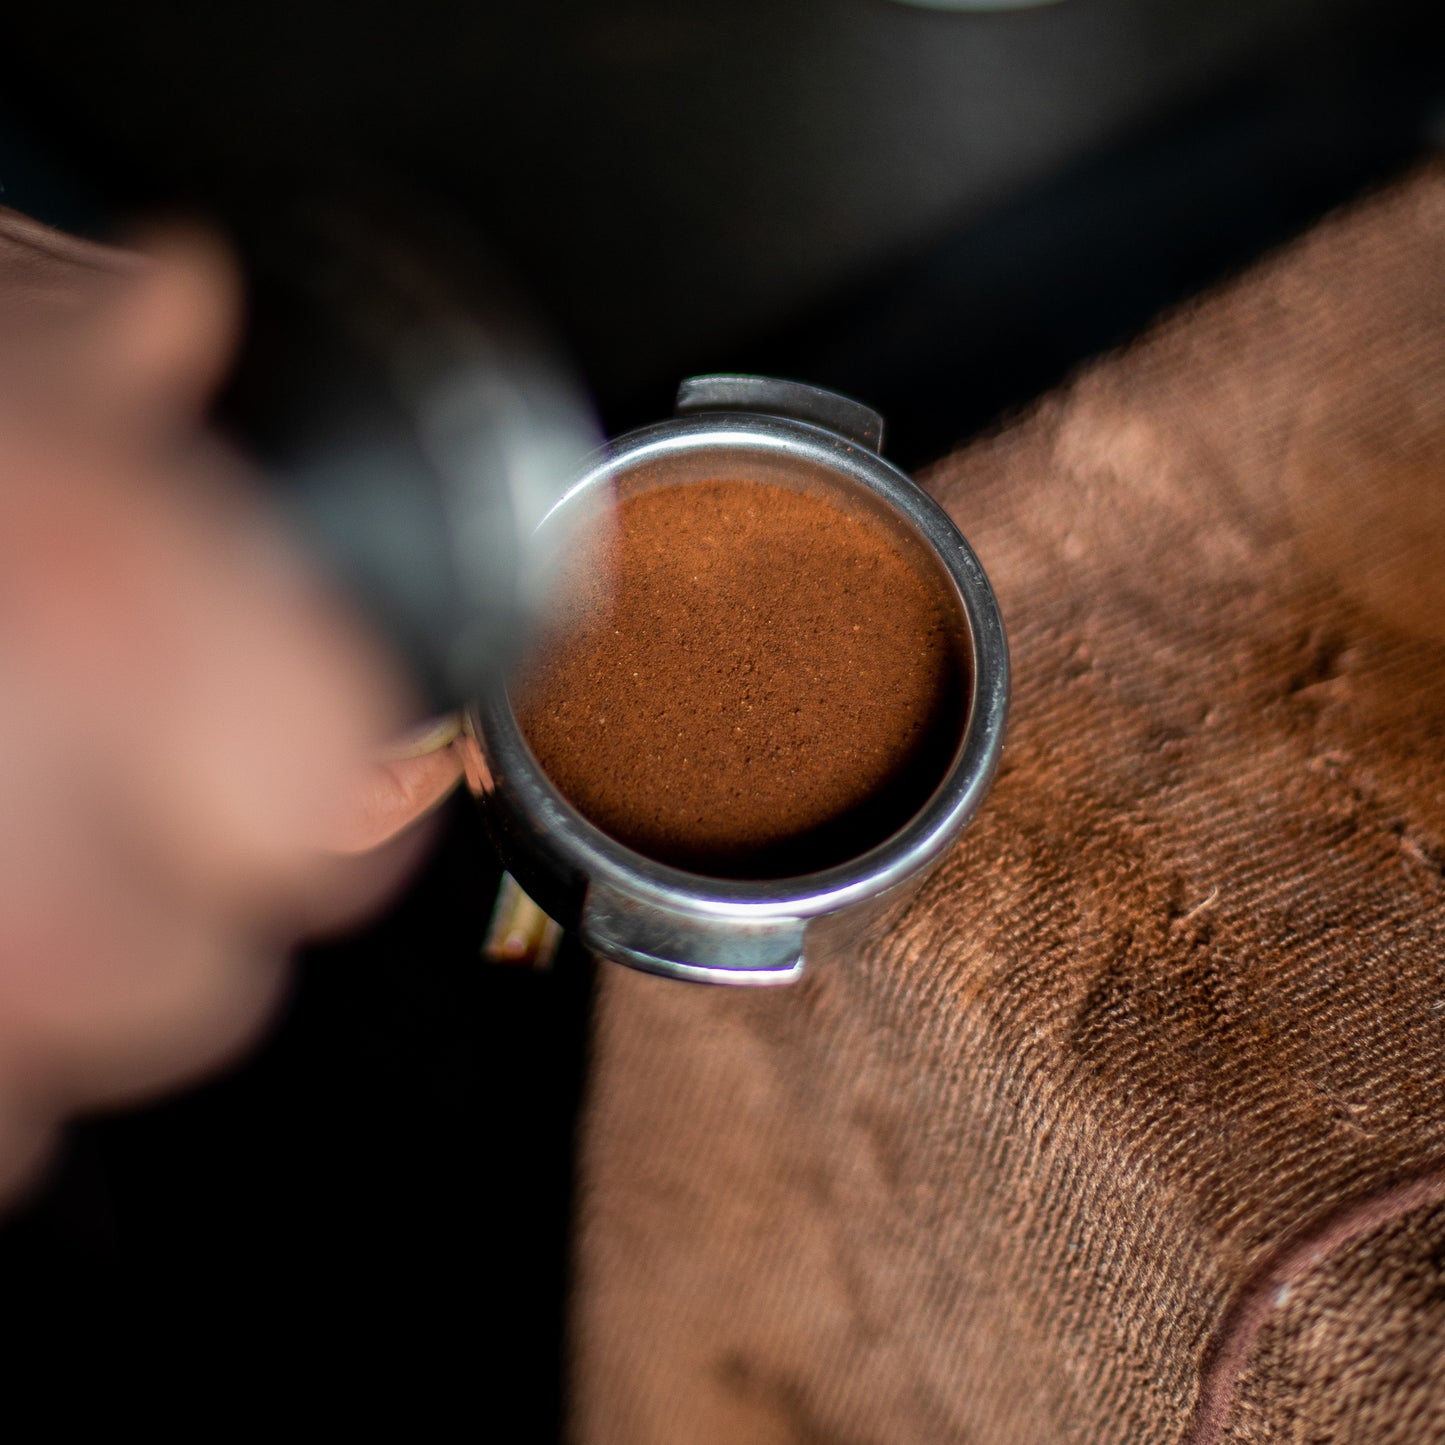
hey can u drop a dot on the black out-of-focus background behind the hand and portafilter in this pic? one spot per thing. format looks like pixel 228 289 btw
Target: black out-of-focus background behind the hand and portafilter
pixel 941 213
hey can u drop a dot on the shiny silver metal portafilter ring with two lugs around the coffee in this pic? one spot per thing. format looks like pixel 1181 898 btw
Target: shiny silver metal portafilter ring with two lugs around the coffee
pixel 642 913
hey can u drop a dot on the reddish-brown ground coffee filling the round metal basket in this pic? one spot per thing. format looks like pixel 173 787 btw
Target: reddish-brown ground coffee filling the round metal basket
pixel 745 681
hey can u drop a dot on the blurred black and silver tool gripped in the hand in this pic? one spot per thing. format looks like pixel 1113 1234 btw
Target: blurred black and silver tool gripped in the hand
pixel 413 423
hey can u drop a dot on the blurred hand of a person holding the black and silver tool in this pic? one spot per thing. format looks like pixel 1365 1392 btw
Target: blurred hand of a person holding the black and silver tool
pixel 194 761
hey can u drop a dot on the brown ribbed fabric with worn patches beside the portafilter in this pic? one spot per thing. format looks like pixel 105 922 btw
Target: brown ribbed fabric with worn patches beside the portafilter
pixel 1132 1125
